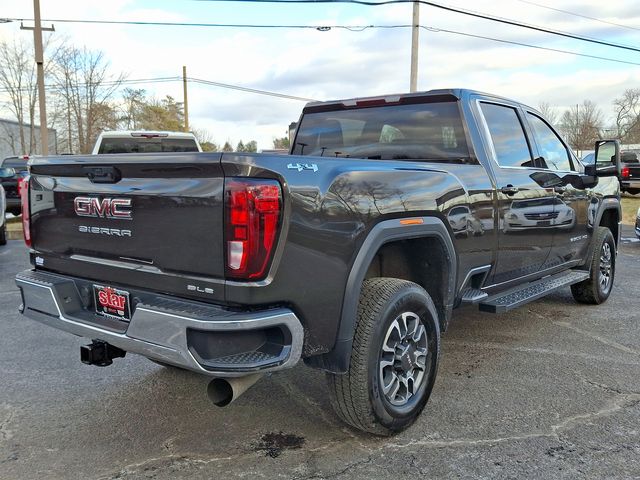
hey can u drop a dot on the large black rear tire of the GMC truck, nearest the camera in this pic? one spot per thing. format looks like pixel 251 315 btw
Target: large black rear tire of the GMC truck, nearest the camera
pixel 358 396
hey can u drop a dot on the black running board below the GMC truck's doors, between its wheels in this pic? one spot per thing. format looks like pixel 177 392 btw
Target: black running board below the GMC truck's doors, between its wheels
pixel 505 301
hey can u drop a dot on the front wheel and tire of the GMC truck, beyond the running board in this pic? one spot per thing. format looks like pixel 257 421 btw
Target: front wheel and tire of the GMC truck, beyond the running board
pixel 597 288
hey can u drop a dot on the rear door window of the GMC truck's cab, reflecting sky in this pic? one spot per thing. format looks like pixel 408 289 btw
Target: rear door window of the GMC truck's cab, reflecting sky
pixel 507 135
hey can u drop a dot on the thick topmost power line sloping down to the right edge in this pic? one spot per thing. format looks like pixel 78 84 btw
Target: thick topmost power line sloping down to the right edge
pixel 484 16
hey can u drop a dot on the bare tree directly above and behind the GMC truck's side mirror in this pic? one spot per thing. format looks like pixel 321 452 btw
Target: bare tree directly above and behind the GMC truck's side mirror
pixel 581 125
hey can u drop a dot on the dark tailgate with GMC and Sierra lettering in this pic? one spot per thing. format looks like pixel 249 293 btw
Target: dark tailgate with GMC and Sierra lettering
pixel 160 214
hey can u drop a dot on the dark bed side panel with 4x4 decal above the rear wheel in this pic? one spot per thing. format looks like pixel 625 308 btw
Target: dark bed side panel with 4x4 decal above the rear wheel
pixel 329 213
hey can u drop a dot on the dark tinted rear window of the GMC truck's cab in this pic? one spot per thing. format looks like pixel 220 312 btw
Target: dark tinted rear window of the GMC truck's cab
pixel 431 131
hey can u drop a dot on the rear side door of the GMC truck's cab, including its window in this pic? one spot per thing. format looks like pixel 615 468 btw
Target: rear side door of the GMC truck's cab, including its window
pixel 525 208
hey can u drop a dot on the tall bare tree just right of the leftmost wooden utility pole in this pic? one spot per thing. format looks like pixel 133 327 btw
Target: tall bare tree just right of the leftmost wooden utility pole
pixel 87 88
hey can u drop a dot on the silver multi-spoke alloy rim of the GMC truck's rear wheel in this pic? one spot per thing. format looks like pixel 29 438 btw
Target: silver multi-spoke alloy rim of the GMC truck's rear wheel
pixel 403 361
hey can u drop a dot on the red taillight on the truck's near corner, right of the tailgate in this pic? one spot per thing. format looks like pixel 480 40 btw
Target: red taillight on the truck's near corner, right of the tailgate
pixel 252 218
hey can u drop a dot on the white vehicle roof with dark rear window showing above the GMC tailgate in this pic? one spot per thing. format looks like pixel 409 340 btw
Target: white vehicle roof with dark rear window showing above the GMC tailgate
pixel 145 141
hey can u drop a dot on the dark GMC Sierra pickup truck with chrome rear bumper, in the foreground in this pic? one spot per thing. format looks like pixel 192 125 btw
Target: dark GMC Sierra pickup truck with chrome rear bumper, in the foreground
pixel 350 253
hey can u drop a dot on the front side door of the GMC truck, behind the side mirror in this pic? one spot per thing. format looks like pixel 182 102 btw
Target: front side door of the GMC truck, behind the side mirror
pixel 572 200
